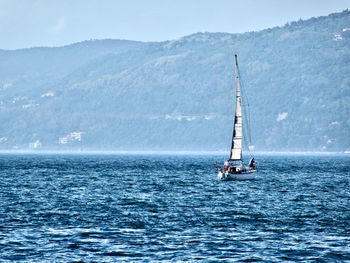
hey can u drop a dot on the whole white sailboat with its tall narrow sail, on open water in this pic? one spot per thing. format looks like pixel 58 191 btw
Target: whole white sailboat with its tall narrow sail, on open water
pixel 233 168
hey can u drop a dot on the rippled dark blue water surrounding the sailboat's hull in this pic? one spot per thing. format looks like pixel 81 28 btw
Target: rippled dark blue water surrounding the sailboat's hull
pixel 108 208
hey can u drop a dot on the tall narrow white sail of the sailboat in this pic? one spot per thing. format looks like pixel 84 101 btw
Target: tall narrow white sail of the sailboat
pixel 236 148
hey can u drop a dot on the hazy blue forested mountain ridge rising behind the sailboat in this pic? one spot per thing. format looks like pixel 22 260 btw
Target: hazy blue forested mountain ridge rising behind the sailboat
pixel 179 95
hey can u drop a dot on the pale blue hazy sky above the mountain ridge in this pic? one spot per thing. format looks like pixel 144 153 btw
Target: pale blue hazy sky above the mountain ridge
pixel 28 23
